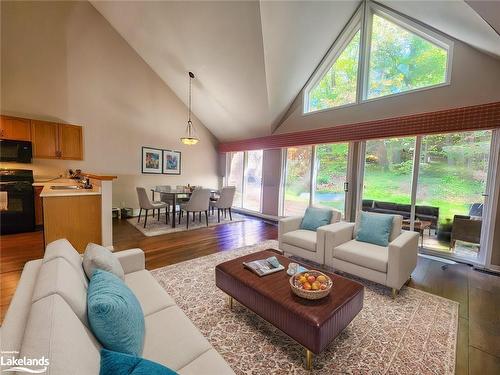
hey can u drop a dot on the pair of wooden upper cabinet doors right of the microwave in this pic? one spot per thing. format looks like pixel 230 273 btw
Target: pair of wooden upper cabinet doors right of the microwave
pixel 56 141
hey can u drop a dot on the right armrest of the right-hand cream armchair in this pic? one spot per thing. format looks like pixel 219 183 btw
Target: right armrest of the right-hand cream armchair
pixel 402 258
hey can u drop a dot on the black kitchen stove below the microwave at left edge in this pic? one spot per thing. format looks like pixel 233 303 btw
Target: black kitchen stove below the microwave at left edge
pixel 17 203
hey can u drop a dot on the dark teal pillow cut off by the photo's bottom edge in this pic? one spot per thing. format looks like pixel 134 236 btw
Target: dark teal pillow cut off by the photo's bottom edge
pixel 114 363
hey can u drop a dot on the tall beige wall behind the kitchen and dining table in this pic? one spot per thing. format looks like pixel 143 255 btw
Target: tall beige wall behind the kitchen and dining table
pixel 62 61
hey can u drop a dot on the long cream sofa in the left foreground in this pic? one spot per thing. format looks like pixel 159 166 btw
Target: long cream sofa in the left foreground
pixel 48 317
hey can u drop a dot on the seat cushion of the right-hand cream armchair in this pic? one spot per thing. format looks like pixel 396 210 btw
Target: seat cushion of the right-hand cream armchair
pixel 363 254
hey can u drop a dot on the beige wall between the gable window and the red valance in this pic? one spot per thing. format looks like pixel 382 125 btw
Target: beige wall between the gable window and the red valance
pixel 475 80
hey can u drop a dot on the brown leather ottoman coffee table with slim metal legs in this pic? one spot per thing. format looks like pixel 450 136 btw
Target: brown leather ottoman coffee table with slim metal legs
pixel 313 324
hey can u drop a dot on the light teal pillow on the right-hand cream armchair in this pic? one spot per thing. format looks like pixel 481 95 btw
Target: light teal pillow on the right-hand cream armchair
pixel 374 228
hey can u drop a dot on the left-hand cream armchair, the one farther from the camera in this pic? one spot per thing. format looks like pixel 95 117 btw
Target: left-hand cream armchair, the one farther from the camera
pixel 304 243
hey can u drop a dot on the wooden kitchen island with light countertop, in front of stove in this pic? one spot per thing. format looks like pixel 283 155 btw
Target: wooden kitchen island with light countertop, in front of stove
pixel 78 214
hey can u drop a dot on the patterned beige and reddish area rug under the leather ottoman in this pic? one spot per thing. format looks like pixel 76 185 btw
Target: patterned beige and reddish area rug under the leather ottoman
pixel 414 334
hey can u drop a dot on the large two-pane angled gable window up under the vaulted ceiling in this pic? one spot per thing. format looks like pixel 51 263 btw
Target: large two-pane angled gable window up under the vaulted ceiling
pixel 379 53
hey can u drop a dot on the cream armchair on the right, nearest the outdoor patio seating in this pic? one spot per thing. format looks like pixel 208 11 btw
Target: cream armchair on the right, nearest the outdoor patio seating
pixel 390 266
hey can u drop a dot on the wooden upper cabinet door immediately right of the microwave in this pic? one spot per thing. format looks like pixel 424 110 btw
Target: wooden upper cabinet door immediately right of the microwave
pixel 44 136
